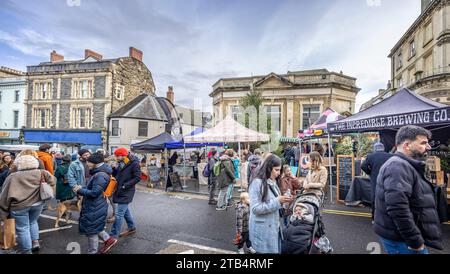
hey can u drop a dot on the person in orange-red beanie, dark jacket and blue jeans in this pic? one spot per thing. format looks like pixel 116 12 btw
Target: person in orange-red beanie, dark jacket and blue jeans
pixel 127 174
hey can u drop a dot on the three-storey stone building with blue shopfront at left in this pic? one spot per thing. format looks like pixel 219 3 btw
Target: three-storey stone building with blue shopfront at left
pixel 68 102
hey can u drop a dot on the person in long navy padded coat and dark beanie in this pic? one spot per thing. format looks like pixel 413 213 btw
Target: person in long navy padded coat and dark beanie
pixel 94 209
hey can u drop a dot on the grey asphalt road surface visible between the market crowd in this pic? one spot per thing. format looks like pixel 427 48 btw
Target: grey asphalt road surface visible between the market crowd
pixel 180 223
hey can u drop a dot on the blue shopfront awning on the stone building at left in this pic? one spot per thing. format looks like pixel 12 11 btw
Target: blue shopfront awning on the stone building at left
pixel 63 137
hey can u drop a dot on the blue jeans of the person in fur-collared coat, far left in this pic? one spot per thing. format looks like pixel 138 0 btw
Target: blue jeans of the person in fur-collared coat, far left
pixel 27 228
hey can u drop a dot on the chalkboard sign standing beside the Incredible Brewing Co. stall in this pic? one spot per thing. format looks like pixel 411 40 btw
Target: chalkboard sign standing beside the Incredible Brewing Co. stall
pixel 345 175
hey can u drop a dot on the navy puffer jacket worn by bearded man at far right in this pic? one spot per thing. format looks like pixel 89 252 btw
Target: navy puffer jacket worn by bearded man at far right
pixel 405 206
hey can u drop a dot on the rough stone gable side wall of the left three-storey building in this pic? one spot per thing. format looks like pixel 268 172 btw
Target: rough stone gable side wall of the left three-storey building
pixel 134 76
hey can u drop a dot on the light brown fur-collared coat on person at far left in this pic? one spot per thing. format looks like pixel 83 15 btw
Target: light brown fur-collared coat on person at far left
pixel 21 190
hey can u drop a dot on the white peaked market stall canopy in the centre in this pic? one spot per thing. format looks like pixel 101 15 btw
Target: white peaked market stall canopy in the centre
pixel 228 131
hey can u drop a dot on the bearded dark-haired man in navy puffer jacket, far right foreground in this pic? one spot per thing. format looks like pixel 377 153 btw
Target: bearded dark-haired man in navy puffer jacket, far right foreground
pixel 406 218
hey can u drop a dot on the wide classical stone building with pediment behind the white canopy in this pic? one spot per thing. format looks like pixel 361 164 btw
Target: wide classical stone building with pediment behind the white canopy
pixel 293 101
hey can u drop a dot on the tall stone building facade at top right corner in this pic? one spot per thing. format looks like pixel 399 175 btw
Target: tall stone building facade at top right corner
pixel 420 60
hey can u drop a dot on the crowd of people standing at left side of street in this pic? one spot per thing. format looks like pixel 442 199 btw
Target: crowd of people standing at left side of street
pixel 84 177
